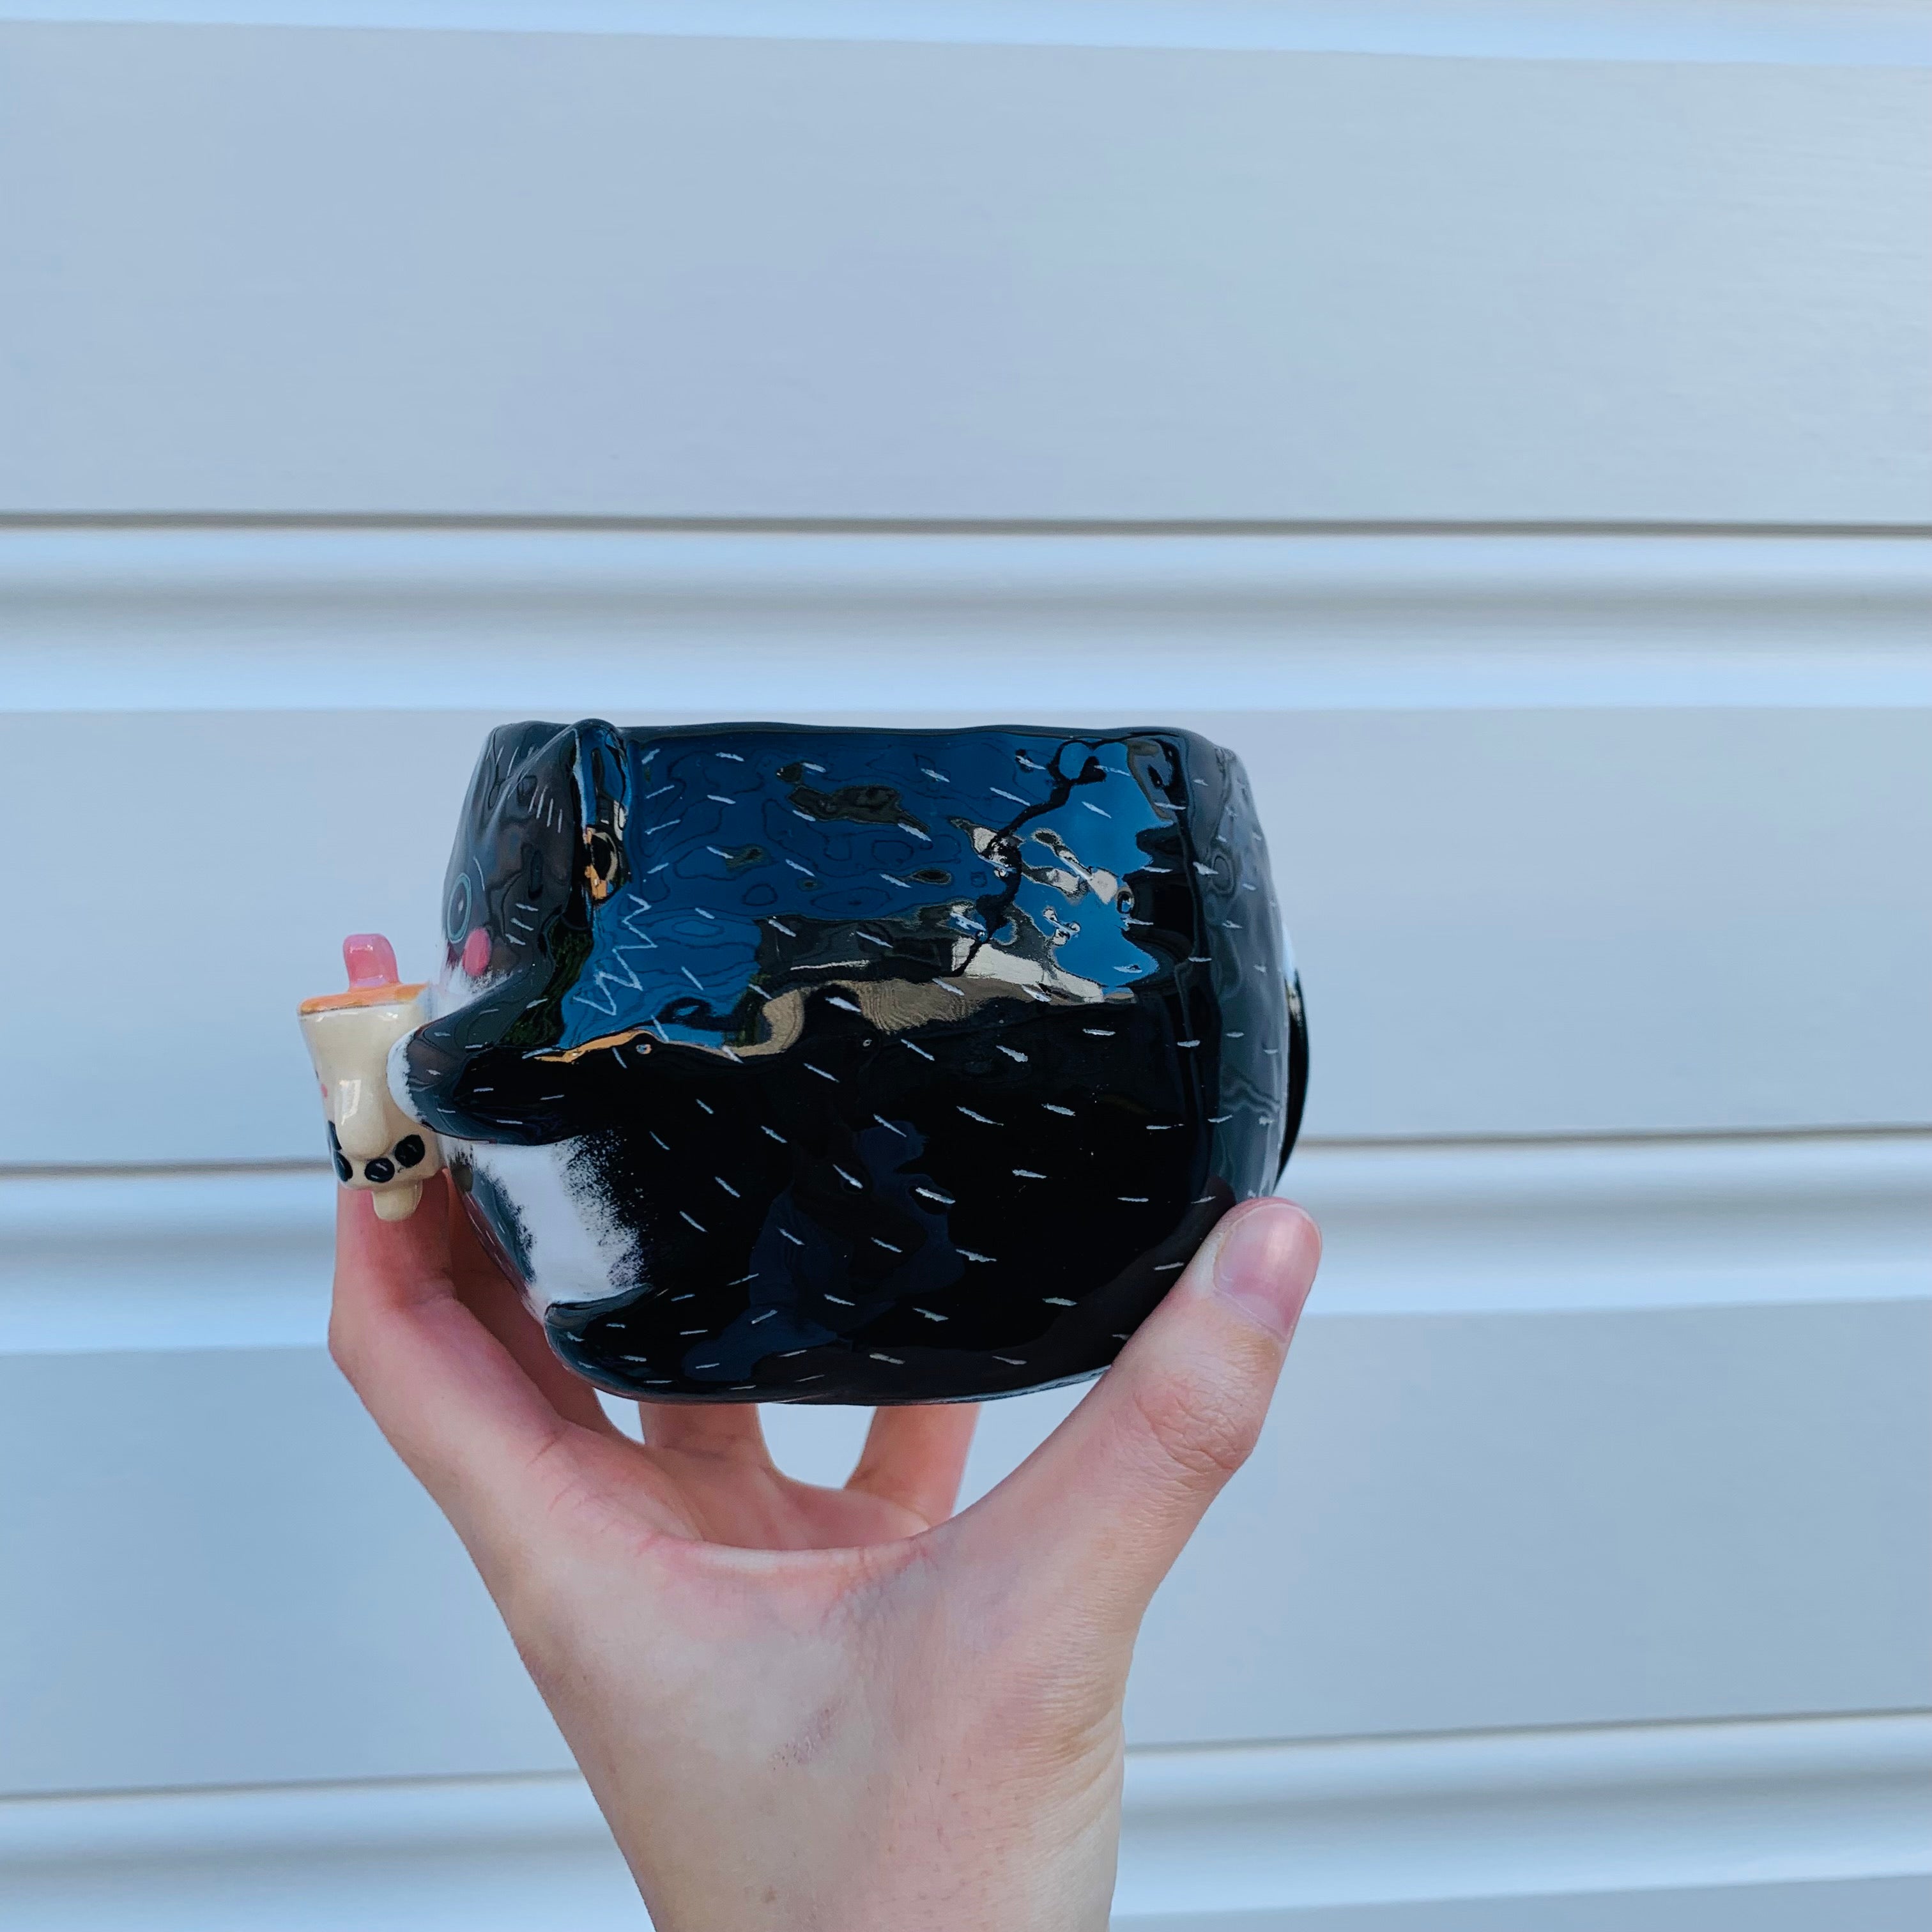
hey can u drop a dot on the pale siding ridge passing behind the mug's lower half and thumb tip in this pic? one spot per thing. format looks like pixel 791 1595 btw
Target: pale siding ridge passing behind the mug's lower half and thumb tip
pixel 221 1257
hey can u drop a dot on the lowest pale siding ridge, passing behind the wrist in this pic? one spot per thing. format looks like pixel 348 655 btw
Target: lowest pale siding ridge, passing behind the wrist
pixel 1230 1829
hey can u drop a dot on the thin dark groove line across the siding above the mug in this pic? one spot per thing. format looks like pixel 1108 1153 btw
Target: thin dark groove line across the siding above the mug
pixel 754 526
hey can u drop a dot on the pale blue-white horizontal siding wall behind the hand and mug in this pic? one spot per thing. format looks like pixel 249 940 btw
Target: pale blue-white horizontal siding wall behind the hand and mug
pixel 1508 426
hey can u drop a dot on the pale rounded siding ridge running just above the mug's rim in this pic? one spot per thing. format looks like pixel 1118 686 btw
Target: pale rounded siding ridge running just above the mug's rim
pixel 571 619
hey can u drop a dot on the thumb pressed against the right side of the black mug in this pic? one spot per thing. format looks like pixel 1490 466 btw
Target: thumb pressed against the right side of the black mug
pixel 1104 1506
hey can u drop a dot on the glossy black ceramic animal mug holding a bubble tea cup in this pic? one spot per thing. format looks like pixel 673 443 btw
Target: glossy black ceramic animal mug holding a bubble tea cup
pixel 789 1064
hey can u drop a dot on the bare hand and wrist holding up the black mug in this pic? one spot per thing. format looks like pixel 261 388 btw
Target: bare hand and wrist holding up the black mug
pixel 824 1709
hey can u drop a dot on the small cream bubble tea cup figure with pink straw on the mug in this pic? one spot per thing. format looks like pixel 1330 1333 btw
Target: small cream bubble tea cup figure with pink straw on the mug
pixel 374 1143
